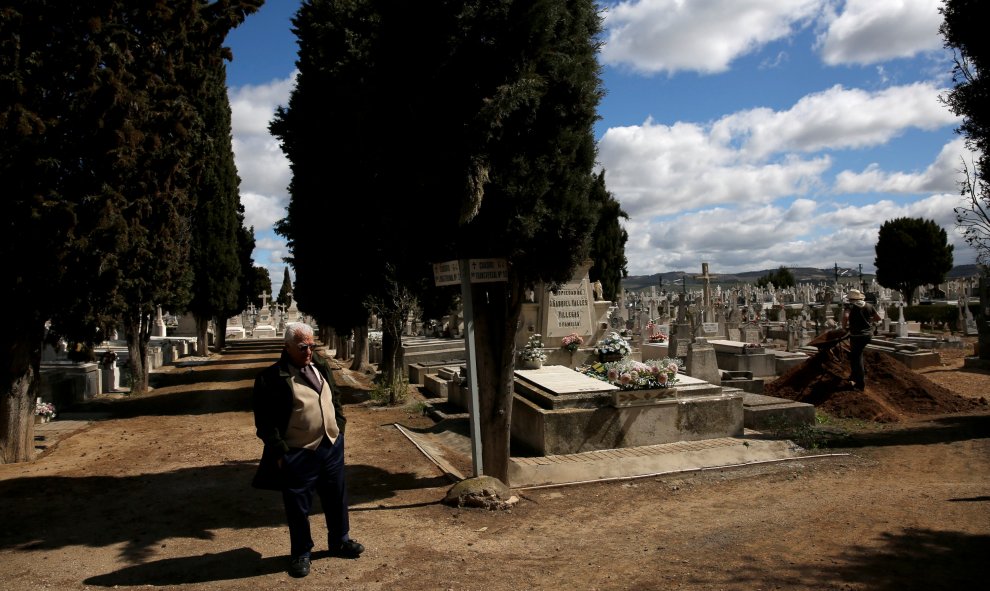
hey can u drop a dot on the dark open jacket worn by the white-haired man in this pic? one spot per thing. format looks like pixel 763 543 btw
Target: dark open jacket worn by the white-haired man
pixel 272 401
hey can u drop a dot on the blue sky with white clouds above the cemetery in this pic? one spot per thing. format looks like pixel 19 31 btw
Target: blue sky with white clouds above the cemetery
pixel 748 134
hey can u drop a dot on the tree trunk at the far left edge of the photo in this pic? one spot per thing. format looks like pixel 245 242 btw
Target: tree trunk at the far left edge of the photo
pixel 20 366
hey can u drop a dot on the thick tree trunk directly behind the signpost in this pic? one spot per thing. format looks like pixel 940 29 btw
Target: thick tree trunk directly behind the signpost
pixel 496 312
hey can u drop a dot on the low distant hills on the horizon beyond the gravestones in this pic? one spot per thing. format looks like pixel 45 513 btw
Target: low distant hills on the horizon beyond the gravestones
pixel 671 280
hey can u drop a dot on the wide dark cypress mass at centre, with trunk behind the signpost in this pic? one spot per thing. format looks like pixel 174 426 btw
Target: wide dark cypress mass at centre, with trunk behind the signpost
pixel 508 91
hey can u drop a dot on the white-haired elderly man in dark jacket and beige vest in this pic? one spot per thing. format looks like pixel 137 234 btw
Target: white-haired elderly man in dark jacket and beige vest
pixel 301 422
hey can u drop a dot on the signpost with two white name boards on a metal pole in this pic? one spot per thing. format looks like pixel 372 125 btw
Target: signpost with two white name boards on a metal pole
pixel 465 272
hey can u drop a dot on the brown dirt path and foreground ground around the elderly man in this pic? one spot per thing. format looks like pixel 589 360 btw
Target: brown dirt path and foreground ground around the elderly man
pixel 157 494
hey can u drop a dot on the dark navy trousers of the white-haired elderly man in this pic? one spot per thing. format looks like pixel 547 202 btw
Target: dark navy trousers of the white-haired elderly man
pixel 321 470
